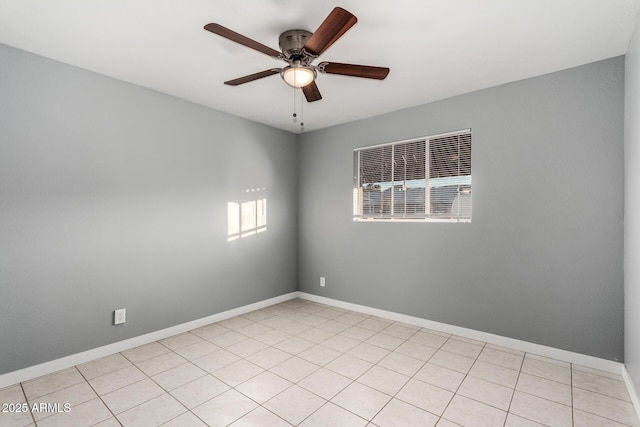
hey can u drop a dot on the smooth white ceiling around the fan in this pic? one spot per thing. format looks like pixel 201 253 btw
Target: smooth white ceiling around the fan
pixel 435 48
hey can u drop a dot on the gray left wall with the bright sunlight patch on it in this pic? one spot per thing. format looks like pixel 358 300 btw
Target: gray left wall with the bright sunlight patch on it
pixel 112 196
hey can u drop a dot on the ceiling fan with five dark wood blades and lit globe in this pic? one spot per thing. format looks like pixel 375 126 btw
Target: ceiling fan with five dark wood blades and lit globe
pixel 299 49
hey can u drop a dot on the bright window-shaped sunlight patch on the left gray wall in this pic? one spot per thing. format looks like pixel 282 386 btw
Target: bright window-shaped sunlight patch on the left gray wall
pixel 247 217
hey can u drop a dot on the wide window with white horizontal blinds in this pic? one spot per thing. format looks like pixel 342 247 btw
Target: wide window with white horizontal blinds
pixel 422 179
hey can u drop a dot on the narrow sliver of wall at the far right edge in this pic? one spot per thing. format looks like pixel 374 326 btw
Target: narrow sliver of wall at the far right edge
pixel 632 210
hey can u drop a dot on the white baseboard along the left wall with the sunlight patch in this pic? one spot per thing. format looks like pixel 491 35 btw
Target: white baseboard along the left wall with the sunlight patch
pixel 31 372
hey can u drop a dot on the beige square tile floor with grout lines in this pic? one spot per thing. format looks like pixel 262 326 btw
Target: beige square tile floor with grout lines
pixel 308 364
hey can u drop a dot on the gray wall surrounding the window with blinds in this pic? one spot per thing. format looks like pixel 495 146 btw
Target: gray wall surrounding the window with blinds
pixel 542 259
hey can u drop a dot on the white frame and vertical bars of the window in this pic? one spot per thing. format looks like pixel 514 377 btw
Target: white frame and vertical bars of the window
pixel 463 183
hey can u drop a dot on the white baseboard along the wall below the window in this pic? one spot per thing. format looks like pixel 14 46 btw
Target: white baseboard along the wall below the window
pixel 542 350
